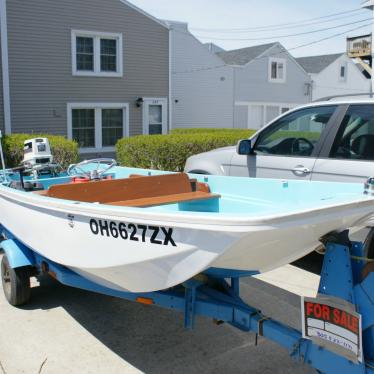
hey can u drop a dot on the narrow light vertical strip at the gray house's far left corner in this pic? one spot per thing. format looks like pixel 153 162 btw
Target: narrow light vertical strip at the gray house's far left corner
pixel 5 66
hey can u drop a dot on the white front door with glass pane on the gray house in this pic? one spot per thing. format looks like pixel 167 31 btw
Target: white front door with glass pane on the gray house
pixel 155 116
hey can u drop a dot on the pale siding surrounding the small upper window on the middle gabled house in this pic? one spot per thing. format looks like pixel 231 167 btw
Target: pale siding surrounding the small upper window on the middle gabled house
pixel 252 85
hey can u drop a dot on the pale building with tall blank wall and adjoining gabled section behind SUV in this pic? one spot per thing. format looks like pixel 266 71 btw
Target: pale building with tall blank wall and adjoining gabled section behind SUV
pixel 243 88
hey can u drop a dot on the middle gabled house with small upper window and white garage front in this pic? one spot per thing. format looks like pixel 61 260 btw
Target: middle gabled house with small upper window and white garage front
pixel 267 82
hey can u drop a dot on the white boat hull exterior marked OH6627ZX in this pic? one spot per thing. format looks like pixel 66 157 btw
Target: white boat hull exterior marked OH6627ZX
pixel 141 251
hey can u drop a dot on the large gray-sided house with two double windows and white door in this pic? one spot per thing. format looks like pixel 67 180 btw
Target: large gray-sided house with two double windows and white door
pixel 92 70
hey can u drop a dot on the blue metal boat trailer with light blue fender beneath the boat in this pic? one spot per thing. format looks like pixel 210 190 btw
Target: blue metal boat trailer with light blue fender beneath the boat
pixel 216 294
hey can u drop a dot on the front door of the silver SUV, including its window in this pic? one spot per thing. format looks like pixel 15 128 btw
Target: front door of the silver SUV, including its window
pixel 287 149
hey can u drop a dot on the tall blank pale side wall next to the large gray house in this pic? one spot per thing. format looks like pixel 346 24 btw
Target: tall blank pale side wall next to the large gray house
pixel 202 86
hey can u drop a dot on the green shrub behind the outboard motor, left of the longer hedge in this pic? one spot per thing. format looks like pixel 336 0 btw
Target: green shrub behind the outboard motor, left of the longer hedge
pixel 65 152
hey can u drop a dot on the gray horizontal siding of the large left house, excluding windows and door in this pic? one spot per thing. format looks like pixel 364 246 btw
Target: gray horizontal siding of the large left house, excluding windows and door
pixel 41 81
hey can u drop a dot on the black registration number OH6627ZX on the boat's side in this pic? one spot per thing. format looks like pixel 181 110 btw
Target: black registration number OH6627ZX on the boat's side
pixel 131 231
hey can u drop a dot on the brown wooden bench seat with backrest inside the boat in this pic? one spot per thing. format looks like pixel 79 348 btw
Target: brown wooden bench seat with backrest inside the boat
pixel 136 191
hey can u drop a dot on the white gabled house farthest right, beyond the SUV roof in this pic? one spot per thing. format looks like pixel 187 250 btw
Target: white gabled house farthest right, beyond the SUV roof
pixel 334 74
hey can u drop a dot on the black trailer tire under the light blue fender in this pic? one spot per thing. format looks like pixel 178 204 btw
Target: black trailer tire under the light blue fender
pixel 16 283
